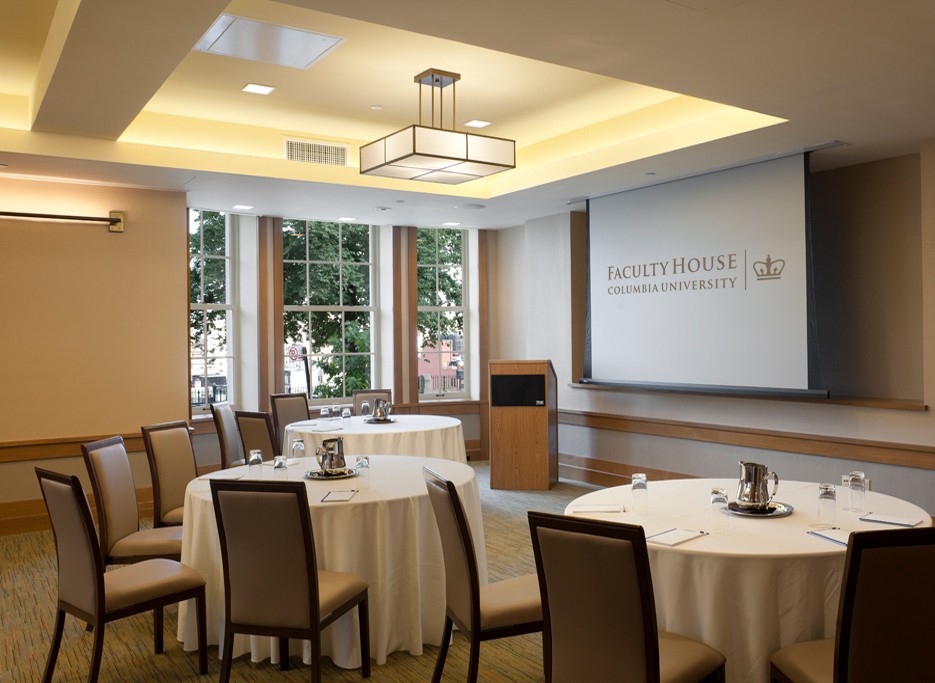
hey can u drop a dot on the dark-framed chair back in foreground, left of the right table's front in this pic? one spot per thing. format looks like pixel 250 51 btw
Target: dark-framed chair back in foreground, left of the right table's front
pixel 597 599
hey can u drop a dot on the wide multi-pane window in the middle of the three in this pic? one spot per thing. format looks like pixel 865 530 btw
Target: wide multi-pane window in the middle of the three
pixel 328 311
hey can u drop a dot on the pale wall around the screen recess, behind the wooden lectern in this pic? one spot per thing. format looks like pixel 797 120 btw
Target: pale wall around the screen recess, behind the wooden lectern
pixel 531 318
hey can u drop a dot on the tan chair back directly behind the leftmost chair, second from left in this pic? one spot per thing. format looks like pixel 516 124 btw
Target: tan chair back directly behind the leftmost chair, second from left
pixel 108 466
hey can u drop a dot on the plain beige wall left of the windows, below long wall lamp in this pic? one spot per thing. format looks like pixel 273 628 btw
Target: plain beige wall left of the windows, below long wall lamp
pixel 94 324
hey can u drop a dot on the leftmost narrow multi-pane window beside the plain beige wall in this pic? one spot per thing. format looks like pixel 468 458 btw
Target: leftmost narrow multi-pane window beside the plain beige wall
pixel 211 309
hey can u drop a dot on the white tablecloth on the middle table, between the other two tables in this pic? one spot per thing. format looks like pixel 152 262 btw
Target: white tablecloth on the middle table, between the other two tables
pixel 386 533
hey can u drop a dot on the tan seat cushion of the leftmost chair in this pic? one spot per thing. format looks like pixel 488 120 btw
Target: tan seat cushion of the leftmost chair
pixel 147 580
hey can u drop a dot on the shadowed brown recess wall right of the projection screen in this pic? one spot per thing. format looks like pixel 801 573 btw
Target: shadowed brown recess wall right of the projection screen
pixel 868 272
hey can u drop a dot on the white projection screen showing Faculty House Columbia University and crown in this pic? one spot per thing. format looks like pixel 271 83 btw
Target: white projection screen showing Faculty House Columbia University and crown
pixel 702 281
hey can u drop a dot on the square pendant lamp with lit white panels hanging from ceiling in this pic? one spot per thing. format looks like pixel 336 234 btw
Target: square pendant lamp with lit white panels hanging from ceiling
pixel 433 153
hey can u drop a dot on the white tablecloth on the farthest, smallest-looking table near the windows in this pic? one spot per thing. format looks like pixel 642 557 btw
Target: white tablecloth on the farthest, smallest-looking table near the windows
pixel 427 436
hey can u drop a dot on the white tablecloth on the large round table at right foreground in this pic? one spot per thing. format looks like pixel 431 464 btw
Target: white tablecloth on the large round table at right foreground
pixel 751 586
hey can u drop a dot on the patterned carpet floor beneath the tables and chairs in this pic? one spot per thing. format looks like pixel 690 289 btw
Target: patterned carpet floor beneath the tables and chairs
pixel 28 589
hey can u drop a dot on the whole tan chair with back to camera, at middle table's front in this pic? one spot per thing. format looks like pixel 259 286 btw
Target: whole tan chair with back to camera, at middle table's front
pixel 267 524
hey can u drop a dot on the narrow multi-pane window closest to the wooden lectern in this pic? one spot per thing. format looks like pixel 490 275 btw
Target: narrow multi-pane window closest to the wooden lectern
pixel 441 294
